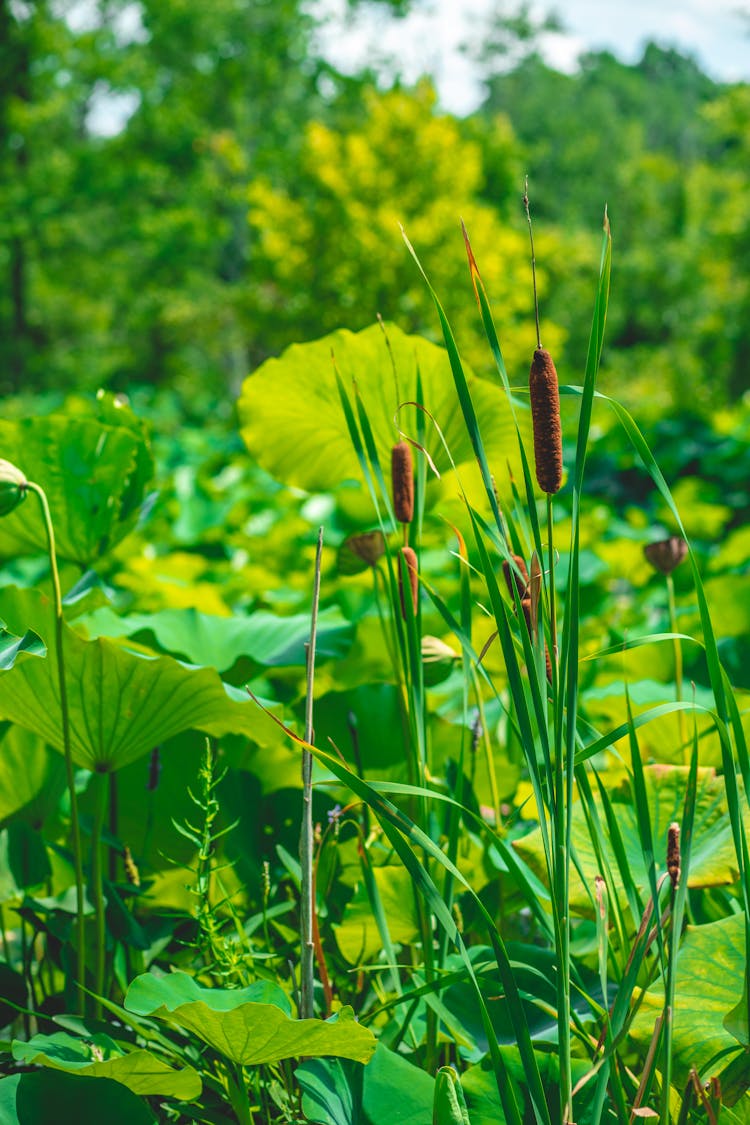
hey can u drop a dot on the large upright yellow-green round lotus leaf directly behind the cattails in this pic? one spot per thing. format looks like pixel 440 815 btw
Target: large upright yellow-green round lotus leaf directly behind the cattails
pixel 294 424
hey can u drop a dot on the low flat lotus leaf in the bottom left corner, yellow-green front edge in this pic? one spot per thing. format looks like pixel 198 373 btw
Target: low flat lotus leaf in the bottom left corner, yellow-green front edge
pixel 101 1057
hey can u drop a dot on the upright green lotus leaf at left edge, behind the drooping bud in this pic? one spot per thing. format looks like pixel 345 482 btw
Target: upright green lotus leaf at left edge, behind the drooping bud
pixel 94 474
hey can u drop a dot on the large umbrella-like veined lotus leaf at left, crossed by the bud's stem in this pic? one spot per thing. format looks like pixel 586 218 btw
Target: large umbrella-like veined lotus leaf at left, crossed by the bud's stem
pixel 121 704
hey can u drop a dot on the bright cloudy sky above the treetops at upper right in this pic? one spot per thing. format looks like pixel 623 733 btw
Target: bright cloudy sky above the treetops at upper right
pixel 429 40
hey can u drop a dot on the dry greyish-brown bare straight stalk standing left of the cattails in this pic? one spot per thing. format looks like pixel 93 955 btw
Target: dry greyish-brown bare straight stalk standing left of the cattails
pixel 308 880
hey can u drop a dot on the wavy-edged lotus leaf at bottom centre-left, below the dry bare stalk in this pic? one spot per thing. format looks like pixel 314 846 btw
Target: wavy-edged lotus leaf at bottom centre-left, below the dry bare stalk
pixel 249 1027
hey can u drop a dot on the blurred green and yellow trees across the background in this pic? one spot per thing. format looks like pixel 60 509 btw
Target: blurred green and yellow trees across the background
pixel 185 190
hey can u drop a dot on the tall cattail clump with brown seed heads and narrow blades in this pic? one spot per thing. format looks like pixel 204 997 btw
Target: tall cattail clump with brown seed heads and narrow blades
pixel 537 625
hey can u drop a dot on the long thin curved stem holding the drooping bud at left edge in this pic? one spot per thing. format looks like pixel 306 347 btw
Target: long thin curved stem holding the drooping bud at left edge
pixel 70 773
